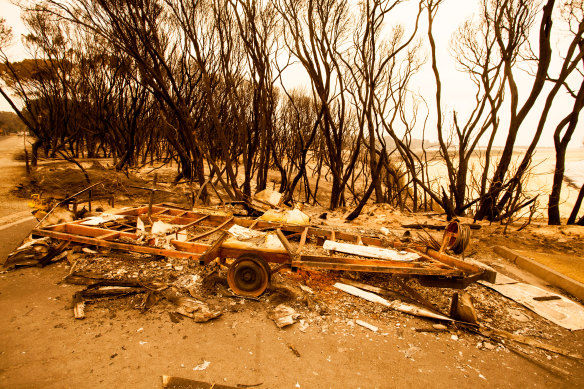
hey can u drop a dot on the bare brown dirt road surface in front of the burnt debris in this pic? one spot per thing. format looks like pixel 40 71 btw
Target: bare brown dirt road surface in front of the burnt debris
pixel 41 345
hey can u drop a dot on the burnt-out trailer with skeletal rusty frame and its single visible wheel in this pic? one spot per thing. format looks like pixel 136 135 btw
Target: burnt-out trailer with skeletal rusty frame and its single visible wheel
pixel 204 236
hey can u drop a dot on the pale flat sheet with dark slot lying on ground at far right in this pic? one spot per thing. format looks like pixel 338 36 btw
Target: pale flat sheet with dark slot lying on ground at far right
pixel 554 307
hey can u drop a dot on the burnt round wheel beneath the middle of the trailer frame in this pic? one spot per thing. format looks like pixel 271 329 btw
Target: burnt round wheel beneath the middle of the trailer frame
pixel 249 275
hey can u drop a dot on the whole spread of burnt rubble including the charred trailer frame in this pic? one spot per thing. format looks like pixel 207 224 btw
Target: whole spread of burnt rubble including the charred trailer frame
pixel 170 262
